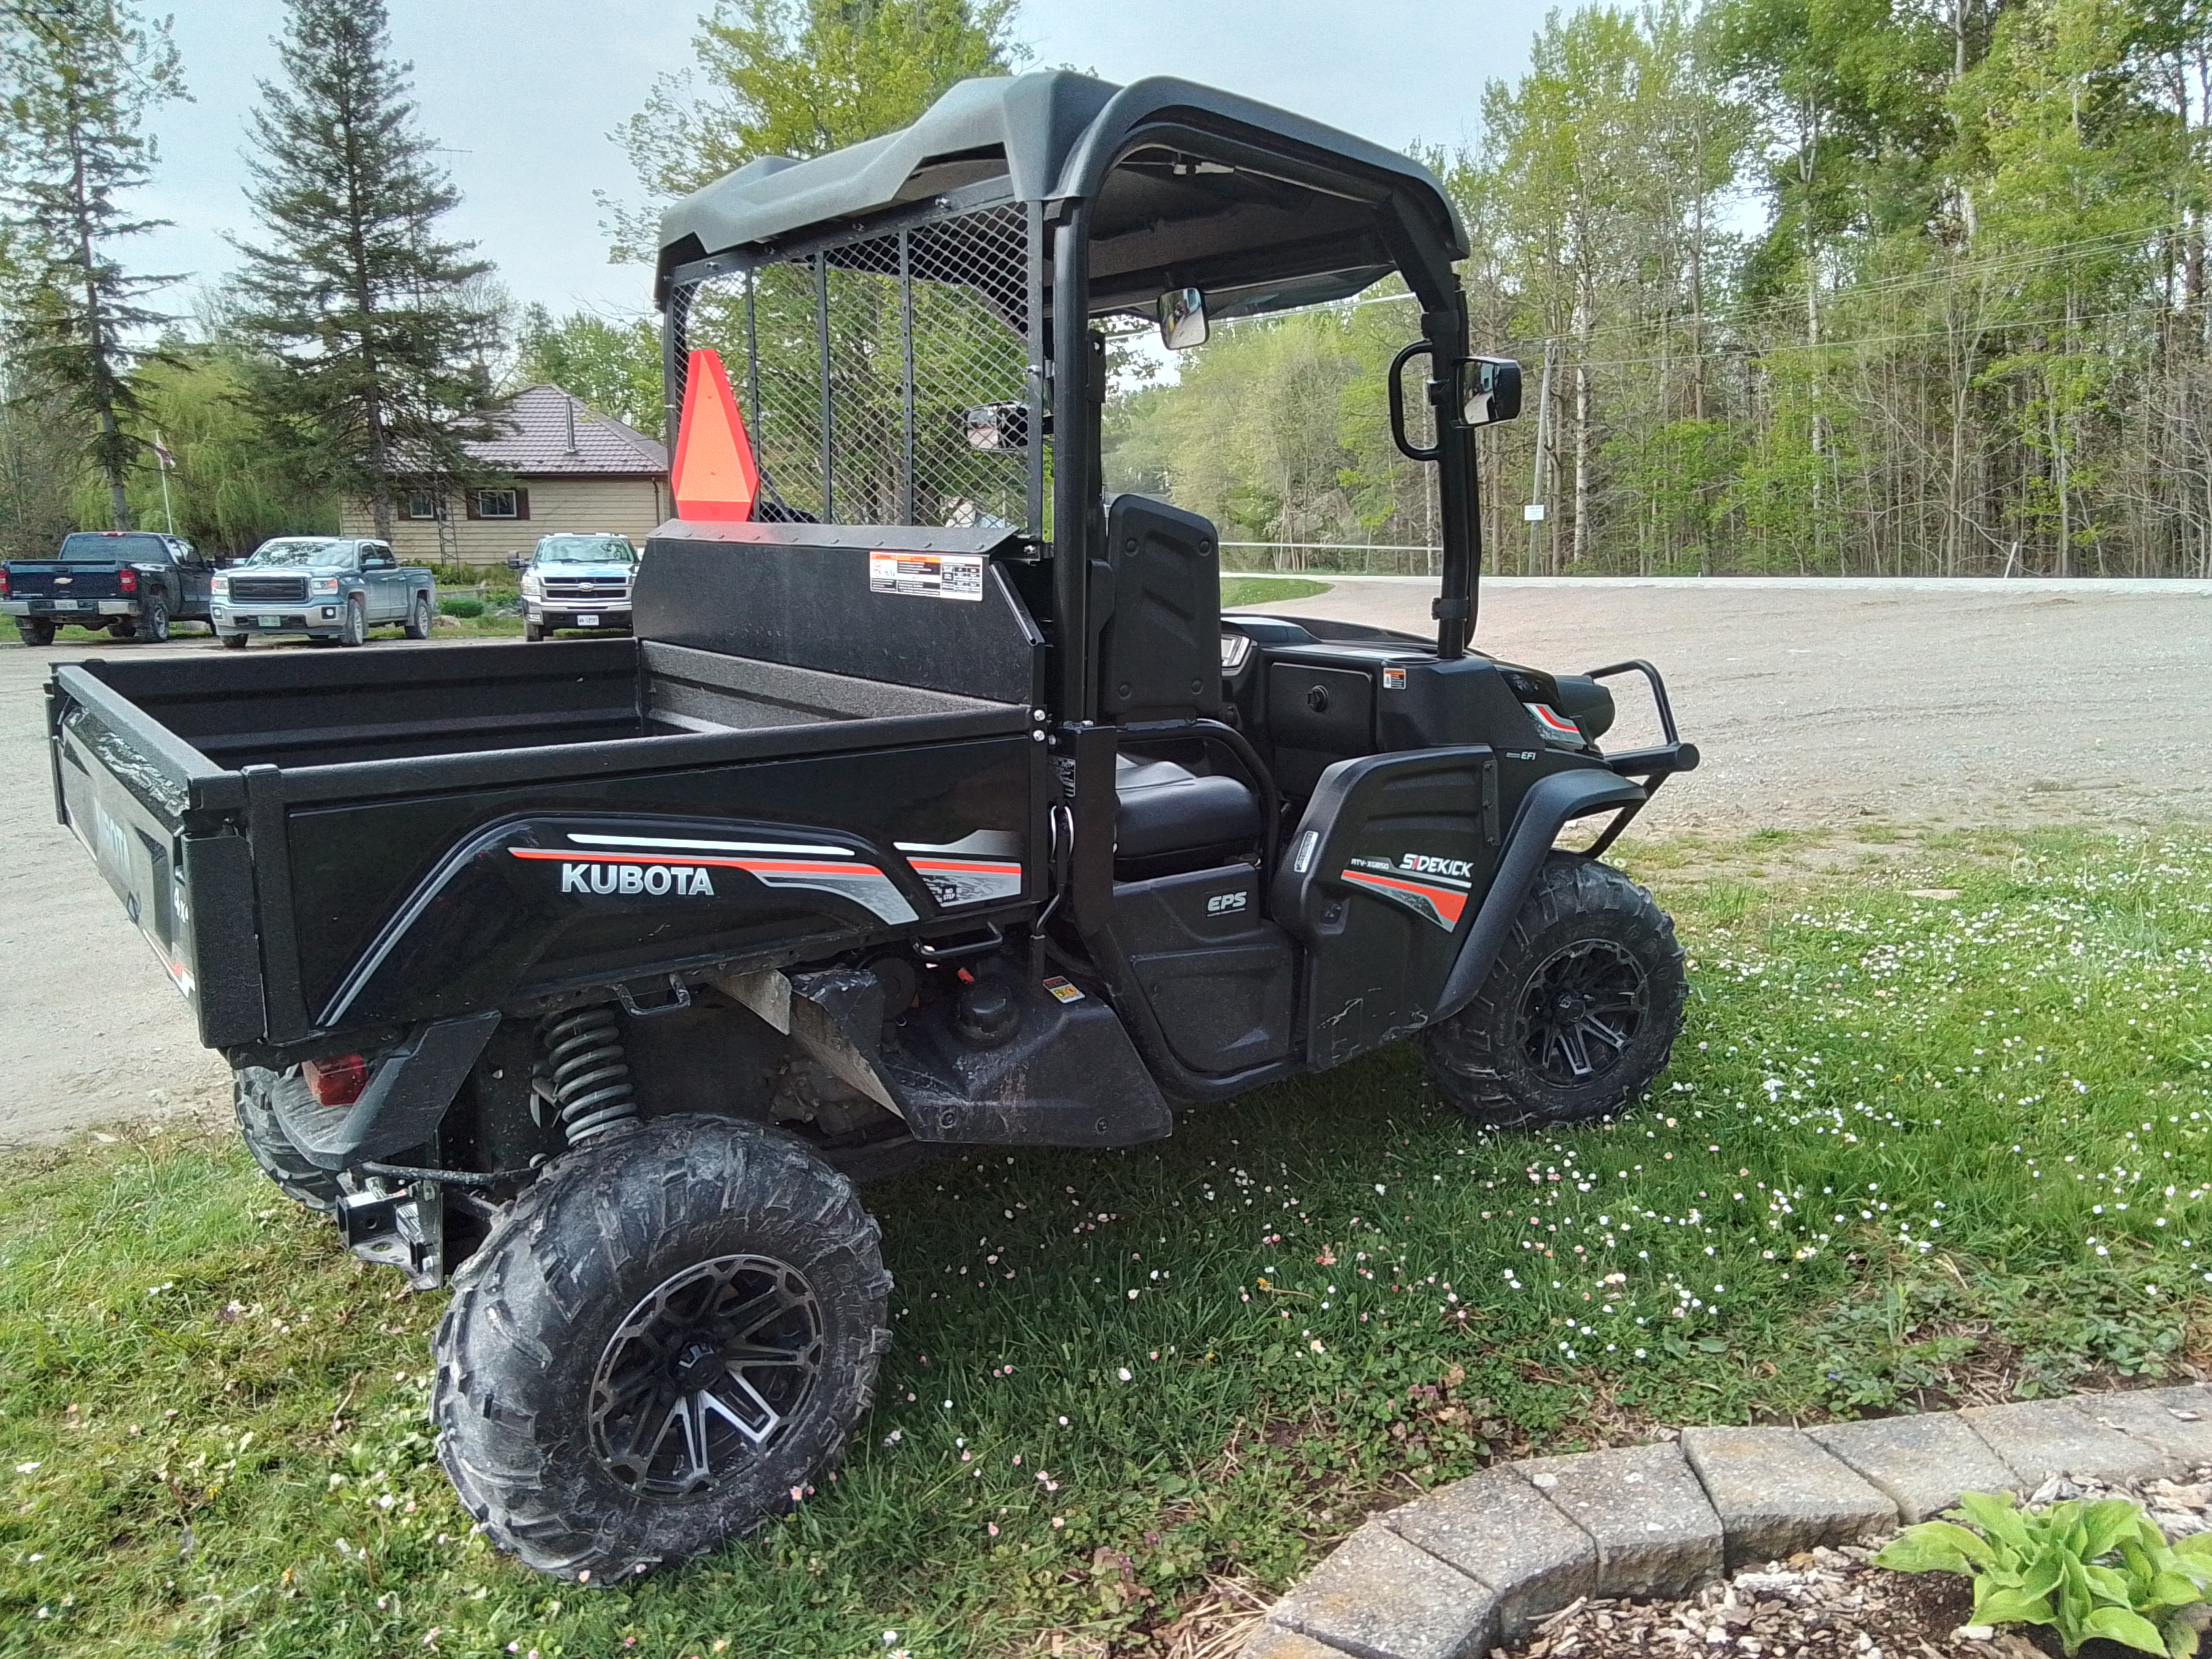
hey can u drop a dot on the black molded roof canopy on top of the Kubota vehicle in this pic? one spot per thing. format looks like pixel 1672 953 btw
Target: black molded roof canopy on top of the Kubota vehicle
pixel 1189 189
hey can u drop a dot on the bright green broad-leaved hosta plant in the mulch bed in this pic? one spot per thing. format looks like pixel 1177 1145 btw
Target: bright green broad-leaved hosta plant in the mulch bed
pixel 2096 1569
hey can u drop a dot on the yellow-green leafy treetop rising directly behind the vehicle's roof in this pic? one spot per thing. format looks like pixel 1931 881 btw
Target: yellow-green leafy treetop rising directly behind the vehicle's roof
pixel 802 79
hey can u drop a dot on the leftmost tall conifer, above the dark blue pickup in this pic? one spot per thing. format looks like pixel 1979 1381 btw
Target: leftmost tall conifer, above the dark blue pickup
pixel 81 81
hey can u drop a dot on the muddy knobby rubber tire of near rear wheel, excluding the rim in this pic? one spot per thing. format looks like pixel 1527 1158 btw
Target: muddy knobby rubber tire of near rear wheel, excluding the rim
pixel 570 1255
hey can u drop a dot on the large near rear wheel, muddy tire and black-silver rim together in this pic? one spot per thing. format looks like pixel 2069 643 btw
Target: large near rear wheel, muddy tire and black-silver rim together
pixel 665 1339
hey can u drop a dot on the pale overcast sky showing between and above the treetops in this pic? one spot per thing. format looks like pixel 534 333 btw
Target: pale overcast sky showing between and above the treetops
pixel 523 96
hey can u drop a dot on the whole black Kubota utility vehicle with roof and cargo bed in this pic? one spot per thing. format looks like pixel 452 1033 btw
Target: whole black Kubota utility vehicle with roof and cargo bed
pixel 932 804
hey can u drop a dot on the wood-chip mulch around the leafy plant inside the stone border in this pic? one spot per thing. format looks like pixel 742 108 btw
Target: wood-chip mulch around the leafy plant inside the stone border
pixel 1833 1605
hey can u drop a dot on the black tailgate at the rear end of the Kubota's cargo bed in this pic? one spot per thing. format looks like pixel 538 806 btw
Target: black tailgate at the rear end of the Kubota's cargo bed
pixel 165 828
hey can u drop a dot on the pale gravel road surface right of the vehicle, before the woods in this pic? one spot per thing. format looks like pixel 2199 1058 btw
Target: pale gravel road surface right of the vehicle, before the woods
pixel 1815 705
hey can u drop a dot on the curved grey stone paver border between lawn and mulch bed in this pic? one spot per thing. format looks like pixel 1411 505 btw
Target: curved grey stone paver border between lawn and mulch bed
pixel 1481 1563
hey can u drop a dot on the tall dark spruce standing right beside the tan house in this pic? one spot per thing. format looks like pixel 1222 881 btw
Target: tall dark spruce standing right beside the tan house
pixel 373 328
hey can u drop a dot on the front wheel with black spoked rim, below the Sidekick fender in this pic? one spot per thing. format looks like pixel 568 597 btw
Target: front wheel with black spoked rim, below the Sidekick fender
pixel 1580 1010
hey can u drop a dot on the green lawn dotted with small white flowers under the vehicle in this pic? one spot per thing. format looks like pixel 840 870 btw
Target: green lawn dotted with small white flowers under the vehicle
pixel 1910 1154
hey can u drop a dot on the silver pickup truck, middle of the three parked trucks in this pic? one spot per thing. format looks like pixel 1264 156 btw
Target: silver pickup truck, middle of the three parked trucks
pixel 326 587
